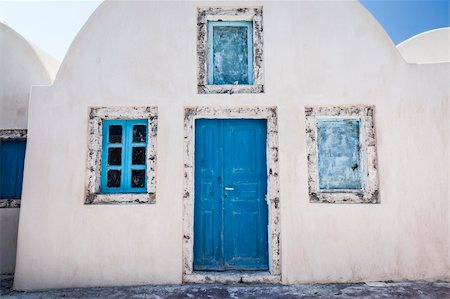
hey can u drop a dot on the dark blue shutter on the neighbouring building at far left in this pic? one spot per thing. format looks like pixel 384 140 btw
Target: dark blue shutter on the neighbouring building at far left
pixel 12 156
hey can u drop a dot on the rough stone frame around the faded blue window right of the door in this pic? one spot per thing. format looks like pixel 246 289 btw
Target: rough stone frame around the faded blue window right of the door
pixel 368 154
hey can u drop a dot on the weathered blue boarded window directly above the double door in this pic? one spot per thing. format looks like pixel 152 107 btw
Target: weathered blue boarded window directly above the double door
pixel 230 53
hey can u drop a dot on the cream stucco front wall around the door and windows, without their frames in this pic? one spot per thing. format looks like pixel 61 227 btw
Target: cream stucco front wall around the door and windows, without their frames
pixel 138 62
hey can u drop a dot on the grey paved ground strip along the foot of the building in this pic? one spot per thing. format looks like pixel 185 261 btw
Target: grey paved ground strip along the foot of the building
pixel 354 290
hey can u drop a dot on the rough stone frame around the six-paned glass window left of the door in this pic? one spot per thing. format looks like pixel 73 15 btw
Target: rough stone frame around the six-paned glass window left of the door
pixel 96 117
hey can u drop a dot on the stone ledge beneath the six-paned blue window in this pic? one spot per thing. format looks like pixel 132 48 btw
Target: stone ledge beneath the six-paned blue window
pixel 122 198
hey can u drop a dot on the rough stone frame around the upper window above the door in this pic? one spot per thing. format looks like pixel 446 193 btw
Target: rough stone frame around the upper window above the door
pixel 253 14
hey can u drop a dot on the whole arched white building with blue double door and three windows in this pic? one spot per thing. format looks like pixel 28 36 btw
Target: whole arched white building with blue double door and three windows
pixel 181 140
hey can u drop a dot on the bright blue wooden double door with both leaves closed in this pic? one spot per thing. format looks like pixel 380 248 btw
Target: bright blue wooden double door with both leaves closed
pixel 230 222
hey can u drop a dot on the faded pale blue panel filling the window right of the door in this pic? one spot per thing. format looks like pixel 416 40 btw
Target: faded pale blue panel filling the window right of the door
pixel 338 154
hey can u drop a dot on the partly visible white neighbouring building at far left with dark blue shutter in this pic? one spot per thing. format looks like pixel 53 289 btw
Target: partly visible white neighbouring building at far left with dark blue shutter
pixel 21 65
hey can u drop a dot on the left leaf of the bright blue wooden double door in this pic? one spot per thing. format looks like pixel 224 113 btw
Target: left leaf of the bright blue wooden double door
pixel 208 253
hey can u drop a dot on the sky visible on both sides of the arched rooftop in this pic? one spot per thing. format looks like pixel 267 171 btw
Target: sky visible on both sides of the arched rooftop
pixel 52 25
